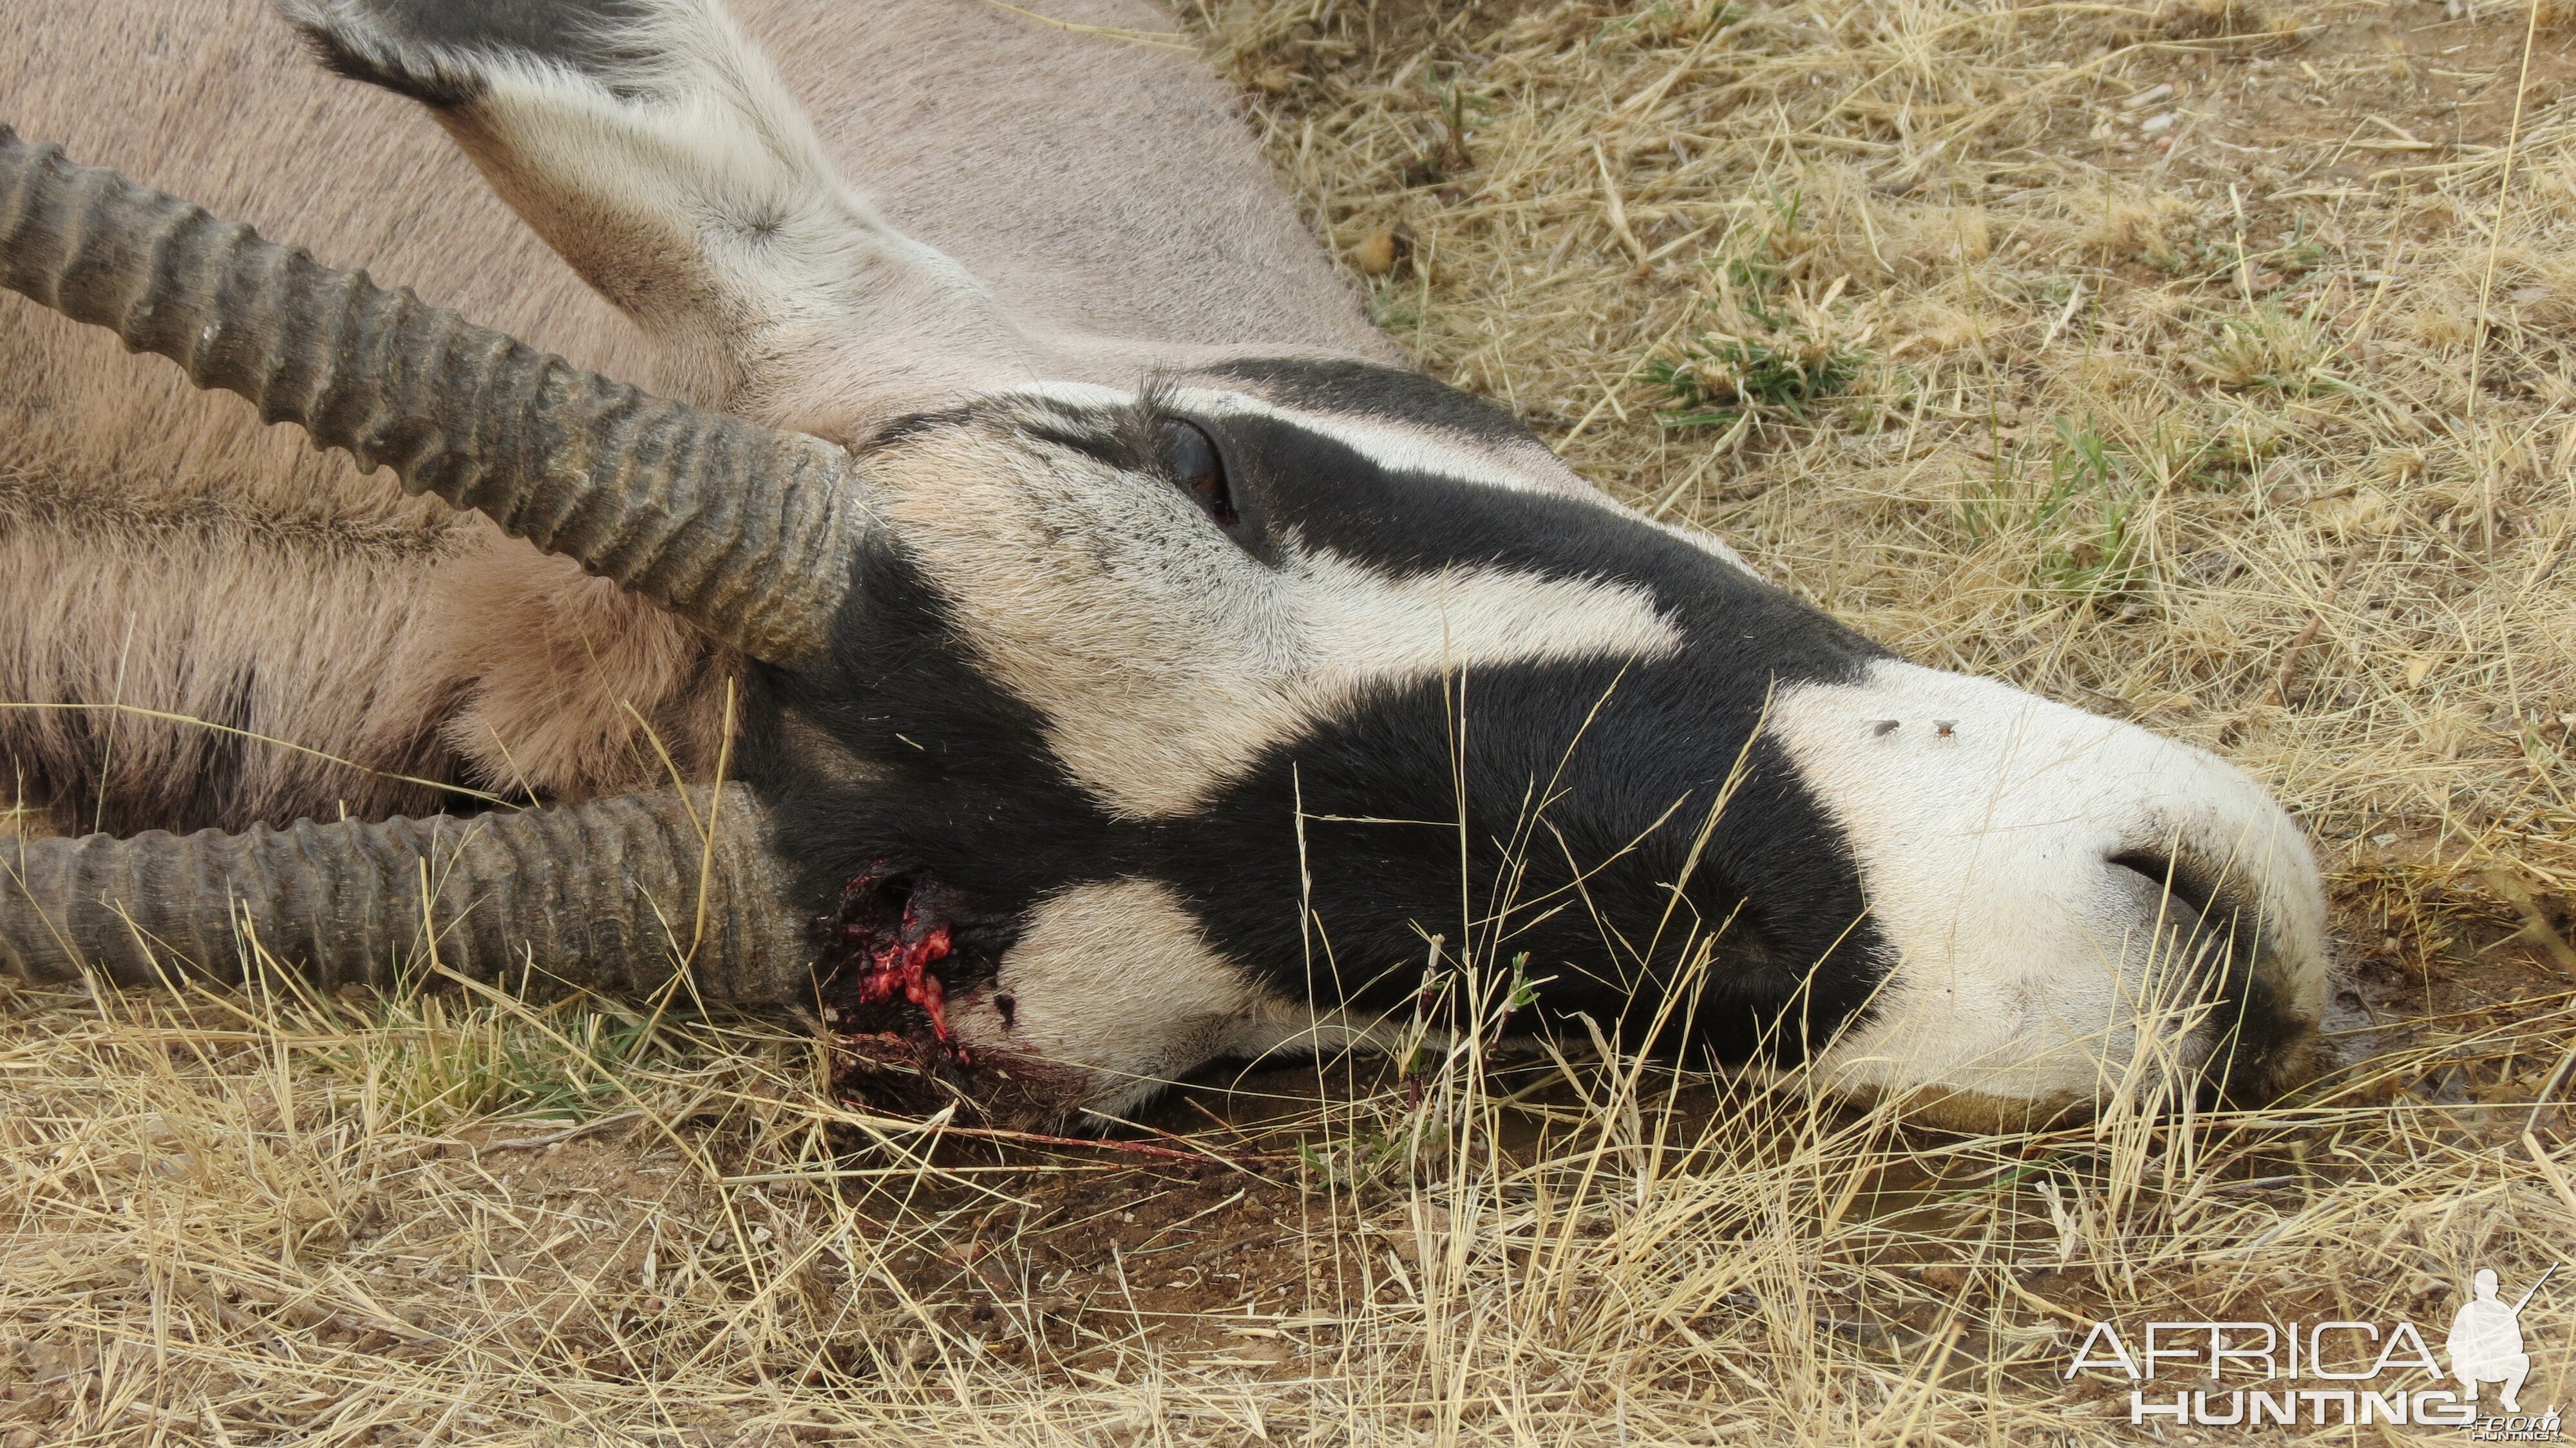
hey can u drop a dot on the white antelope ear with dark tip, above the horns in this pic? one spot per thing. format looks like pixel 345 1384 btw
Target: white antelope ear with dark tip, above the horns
pixel 656 151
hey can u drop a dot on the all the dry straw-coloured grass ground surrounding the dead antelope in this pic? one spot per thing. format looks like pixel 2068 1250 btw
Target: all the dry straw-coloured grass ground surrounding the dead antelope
pixel 2258 437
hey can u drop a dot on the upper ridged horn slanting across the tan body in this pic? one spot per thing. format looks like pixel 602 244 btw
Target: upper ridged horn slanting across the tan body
pixel 741 529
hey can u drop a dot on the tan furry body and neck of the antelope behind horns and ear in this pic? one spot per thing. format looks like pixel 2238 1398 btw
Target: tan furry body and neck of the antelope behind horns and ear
pixel 202 614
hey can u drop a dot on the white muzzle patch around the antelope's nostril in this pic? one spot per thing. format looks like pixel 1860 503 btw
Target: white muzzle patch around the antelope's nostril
pixel 1985 821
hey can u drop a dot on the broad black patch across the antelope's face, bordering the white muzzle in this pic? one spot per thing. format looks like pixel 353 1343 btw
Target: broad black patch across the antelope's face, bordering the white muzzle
pixel 1632 761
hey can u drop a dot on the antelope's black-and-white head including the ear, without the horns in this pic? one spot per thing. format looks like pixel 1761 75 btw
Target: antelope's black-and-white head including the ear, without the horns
pixel 1163 723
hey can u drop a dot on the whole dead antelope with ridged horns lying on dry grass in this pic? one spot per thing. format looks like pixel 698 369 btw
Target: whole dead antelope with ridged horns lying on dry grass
pixel 1117 658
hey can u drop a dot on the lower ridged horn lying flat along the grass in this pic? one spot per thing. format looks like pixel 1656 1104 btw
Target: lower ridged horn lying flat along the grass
pixel 607 895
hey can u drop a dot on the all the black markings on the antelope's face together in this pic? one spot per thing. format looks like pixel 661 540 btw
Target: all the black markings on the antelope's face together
pixel 970 792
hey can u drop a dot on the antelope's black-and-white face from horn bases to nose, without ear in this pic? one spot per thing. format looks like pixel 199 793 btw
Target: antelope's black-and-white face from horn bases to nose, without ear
pixel 1179 702
